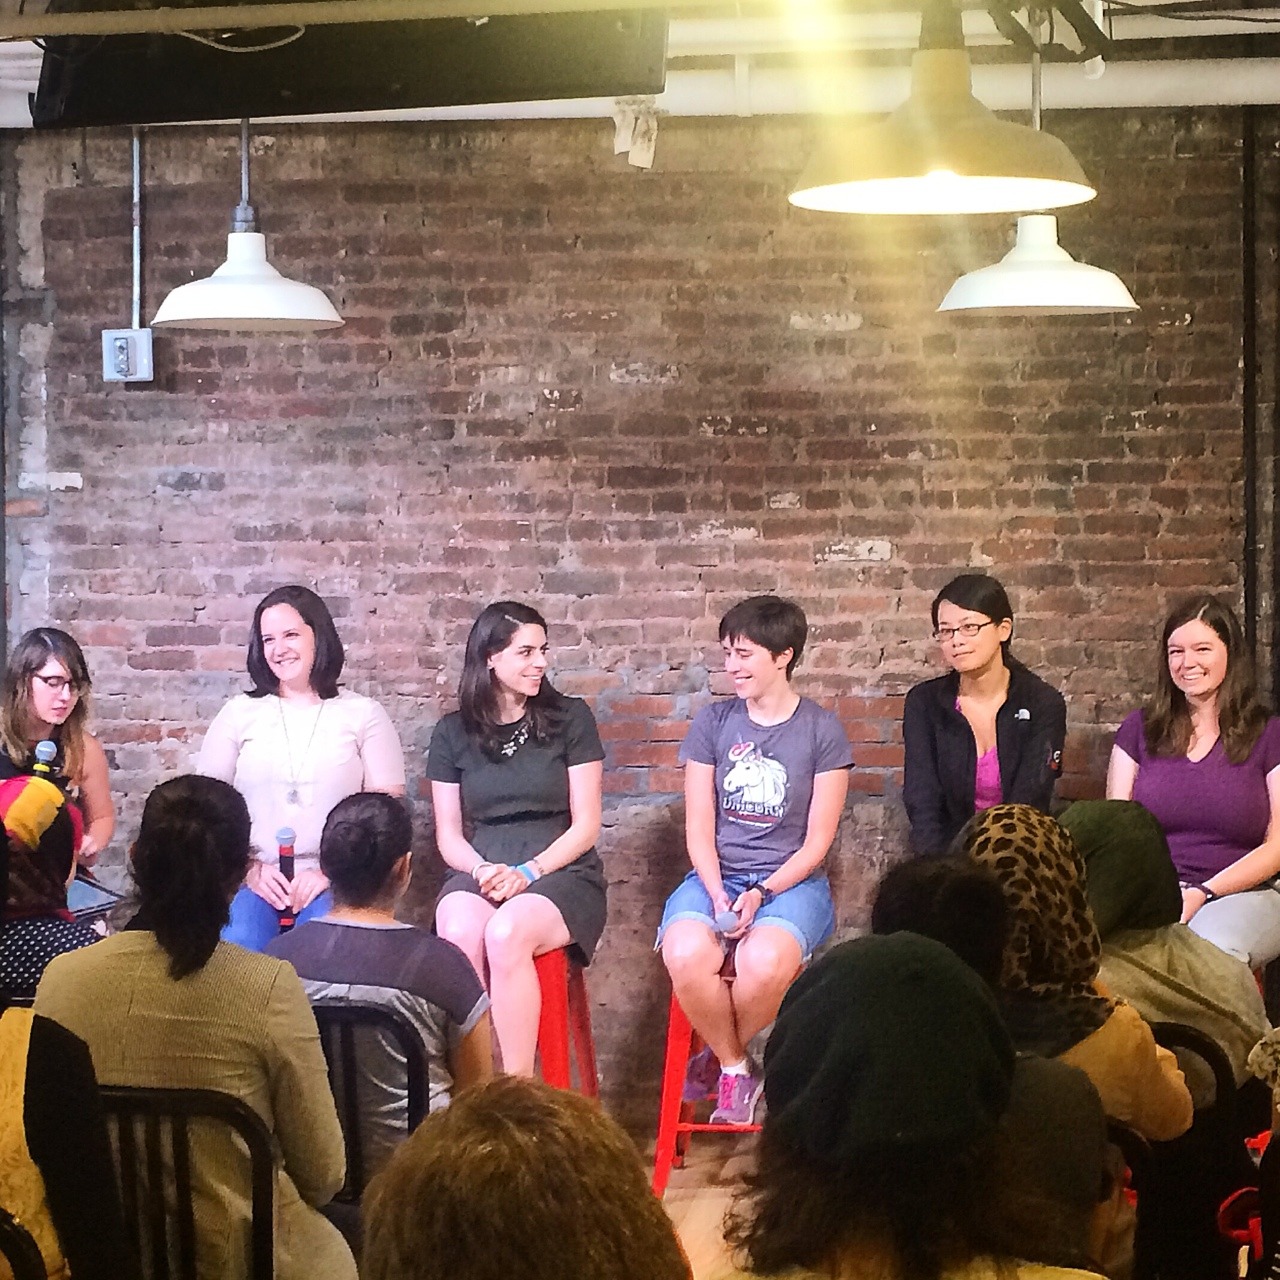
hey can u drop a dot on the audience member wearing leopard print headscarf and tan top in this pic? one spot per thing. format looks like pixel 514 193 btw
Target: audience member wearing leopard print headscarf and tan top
pixel 1049 988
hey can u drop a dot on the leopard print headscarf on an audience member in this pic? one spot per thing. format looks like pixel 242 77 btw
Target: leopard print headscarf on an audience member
pixel 1053 952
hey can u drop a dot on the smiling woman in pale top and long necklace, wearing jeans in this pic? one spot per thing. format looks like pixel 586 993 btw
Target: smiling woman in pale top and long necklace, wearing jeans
pixel 294 747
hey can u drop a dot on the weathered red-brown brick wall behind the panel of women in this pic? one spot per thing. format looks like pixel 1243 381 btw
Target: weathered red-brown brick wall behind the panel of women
pixel 630 399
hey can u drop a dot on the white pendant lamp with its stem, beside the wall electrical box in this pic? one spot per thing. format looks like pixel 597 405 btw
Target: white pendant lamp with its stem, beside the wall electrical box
pixel 246 292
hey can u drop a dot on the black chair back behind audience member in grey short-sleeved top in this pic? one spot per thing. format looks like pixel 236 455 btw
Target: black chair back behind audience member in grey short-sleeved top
pixel 340 1025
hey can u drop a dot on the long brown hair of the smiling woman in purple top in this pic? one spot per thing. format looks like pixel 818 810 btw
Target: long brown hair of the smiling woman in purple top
pixel 1241 716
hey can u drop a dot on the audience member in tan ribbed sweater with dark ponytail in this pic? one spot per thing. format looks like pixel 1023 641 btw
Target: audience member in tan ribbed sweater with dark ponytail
pixel 168 1005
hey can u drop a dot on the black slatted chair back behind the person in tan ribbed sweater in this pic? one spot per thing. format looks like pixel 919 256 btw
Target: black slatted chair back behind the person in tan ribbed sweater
pixel 152 1131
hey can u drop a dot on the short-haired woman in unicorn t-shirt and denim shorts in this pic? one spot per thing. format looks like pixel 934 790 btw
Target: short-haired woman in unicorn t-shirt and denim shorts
pixel 766 779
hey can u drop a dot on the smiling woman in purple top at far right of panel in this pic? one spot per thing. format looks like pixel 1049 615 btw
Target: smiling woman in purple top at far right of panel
pixel 1204 757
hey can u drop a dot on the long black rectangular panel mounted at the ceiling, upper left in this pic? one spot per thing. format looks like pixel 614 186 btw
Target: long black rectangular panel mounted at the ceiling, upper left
pixel 359 67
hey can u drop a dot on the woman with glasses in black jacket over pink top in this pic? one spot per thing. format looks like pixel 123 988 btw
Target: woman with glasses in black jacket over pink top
pixel 989 733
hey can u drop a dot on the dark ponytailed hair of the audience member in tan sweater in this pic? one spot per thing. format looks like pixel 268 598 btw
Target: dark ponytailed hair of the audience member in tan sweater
pixel 191 854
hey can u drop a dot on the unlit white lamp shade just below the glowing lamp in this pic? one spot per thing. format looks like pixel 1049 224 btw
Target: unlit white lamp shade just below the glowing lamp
pixel 1039 277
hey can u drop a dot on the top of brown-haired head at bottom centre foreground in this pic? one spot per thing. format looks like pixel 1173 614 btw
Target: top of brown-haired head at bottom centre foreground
pixel 515 1181
